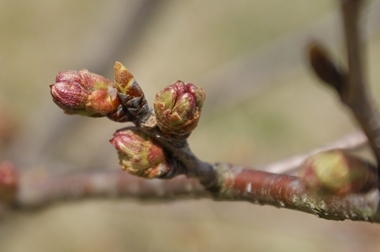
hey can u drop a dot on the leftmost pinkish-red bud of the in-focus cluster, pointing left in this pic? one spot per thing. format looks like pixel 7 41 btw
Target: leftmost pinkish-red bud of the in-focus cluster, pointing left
pixel 84 93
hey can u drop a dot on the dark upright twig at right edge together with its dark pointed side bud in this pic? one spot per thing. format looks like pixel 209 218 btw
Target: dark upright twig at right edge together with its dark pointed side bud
pixel 350 84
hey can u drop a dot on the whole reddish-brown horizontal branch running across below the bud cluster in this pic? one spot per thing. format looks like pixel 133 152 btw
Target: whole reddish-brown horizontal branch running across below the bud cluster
pixel 235 183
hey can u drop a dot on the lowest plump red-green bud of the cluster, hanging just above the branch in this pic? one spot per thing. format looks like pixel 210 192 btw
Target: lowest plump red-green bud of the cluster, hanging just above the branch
pixel 140 155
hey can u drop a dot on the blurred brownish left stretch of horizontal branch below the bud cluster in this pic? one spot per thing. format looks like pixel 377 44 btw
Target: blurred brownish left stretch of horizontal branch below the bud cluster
pixel 103 184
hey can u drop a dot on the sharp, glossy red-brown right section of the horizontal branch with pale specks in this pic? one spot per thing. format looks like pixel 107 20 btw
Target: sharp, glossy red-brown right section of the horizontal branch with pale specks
pixel 285 191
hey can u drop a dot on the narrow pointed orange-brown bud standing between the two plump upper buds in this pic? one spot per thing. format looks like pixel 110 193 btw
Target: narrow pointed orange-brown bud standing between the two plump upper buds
pixel 130 93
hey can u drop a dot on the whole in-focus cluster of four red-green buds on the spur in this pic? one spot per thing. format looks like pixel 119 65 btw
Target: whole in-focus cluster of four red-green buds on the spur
pixel 177 110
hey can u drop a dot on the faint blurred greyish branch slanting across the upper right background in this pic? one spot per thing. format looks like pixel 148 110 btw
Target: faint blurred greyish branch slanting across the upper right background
pixel 249 74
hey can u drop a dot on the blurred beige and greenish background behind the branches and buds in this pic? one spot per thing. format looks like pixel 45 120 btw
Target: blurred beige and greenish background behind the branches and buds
pixel 263 105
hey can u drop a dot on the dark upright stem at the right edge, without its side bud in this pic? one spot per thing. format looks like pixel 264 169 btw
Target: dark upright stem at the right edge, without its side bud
pixel 355 91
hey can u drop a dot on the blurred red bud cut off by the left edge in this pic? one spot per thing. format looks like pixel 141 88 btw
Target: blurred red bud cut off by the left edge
pixel 8 182
